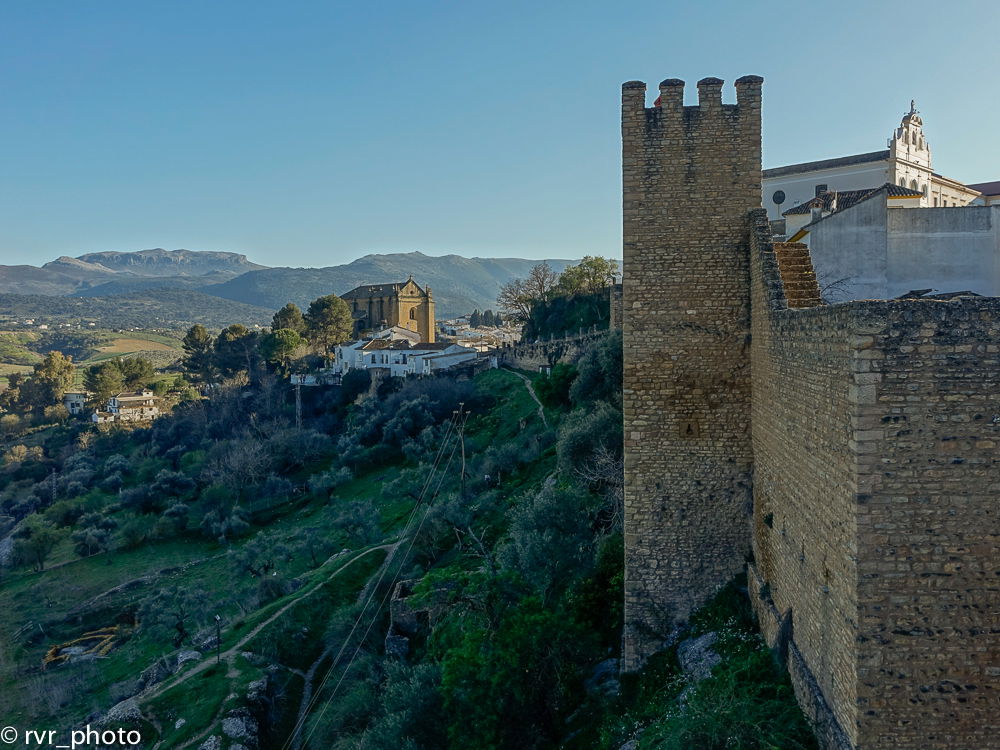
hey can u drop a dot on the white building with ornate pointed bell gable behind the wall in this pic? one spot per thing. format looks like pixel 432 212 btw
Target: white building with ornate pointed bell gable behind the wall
pixel 906 162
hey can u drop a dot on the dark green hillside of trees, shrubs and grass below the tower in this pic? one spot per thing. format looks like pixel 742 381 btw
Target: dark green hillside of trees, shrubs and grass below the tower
pixel 500 534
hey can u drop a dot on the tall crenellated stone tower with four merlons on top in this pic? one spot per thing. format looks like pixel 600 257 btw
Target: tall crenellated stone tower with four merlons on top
pixel 691 174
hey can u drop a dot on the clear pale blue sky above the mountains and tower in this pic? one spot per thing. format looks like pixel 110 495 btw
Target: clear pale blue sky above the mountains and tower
pixel 310 133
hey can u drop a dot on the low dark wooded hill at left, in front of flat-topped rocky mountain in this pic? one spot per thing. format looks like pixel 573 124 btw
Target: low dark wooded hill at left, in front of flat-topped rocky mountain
pixel 154 308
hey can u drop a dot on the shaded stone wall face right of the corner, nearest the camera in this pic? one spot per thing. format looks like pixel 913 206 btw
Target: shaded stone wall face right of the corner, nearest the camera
pixel 928 533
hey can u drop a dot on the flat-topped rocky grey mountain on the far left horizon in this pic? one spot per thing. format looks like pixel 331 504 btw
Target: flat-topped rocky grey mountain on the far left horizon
pixel 68 275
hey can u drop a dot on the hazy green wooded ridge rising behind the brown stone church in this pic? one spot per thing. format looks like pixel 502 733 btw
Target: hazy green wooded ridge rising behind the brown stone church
pixel 459 284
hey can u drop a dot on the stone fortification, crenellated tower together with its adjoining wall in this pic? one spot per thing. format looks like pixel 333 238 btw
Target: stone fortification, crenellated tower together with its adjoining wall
pixel 867 435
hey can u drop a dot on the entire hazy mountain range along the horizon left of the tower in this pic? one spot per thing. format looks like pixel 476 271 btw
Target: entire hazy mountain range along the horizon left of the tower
pixel 459 284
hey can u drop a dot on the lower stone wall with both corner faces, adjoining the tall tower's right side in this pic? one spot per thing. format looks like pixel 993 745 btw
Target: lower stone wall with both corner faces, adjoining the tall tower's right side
pixel 875 433
